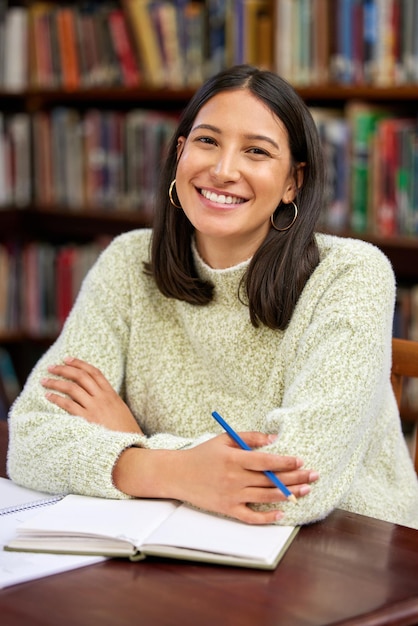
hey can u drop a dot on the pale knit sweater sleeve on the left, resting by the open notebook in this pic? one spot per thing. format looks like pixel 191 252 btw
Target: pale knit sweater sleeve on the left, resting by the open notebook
pixel 51 450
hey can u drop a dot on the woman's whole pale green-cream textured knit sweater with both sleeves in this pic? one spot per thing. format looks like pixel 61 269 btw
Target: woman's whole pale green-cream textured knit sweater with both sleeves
pixel 323 384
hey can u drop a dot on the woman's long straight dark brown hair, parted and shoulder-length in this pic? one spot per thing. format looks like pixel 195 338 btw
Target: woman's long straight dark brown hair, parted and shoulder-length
pixel 285 260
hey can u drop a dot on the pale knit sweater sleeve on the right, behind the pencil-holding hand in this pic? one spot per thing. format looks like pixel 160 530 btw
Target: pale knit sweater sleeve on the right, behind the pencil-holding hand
pixel 337 381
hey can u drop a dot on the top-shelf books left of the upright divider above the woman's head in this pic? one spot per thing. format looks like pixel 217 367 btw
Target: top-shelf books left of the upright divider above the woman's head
pixel 174 43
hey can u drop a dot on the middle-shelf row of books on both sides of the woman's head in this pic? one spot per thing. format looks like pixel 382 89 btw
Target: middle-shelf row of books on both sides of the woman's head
pixel 110 160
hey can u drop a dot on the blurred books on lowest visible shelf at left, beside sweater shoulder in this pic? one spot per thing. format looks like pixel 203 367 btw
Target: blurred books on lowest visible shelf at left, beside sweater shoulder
pixel 39 283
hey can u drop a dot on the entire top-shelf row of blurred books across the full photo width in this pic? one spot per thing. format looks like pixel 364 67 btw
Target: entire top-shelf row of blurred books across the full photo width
pixel 179 43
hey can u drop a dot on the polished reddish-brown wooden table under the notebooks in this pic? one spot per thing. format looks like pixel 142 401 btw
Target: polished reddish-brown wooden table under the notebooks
pixel 348 569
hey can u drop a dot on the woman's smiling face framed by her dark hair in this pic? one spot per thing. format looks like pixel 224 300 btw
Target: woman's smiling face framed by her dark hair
pixel 233 172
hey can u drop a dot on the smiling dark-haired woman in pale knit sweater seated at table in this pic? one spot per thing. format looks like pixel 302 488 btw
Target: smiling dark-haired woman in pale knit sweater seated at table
pixel 233 304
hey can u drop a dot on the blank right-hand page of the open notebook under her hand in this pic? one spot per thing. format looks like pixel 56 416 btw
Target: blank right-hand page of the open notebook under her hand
pixel 189 528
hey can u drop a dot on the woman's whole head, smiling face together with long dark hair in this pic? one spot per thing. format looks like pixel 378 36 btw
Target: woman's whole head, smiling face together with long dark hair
pixel 246 127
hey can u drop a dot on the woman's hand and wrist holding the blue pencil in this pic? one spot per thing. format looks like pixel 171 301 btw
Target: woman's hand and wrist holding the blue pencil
pixel 216 476
